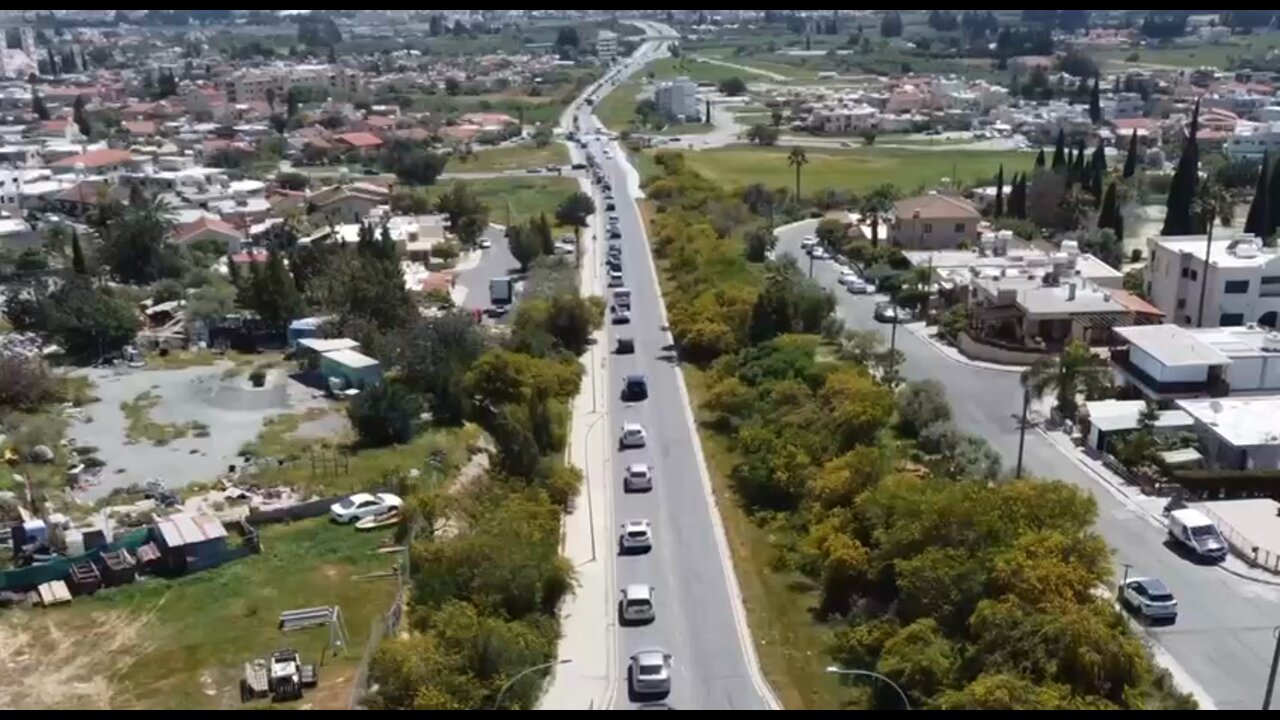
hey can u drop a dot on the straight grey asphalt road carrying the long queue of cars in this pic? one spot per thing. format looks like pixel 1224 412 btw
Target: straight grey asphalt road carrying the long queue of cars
pixel 694 610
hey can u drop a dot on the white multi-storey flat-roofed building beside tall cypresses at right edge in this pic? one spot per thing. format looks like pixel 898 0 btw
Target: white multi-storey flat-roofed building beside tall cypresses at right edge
pixel 1241 280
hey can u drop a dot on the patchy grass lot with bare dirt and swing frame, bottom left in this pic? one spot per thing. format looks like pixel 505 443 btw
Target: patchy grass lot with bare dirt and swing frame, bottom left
pixel 181 644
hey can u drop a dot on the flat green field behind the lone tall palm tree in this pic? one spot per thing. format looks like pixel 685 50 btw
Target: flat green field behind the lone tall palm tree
pixel 854 170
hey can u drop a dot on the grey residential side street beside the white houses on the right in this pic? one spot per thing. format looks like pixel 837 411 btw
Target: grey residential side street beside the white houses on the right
pixel 1223 639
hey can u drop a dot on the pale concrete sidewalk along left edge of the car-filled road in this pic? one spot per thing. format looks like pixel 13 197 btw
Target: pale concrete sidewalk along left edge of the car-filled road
pixel 587 619
